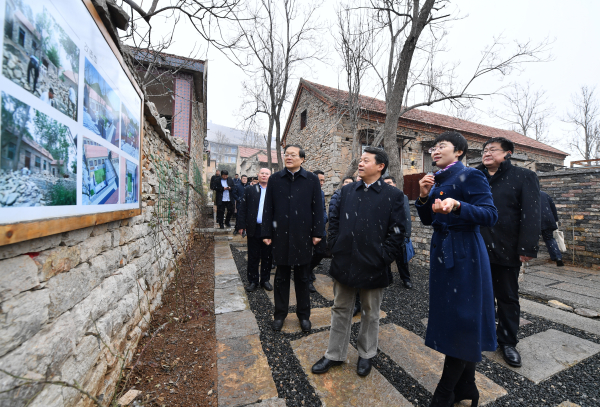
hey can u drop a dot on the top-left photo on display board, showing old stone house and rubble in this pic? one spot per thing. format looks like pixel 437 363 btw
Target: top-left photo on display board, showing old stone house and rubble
pixel 39 56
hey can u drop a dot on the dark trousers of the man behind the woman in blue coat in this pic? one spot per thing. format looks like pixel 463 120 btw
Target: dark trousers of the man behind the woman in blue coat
pixel 505 281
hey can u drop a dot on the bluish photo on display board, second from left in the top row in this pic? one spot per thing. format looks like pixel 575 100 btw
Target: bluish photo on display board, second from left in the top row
pixel 101 105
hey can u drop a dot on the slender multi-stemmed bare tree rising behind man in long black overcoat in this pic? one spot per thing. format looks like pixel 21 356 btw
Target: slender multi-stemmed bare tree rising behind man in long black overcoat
pixel 277 37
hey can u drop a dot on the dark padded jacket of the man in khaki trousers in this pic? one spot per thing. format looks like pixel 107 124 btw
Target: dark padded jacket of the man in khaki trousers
pixel 366 233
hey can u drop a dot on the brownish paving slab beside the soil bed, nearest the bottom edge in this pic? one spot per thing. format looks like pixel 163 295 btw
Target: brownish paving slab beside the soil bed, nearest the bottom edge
pixel 244 373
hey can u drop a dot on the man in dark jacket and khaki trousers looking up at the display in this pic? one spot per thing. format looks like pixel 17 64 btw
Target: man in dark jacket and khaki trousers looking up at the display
pixel 366 233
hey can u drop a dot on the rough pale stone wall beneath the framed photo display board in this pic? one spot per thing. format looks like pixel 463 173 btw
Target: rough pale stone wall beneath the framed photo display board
pixel 70 302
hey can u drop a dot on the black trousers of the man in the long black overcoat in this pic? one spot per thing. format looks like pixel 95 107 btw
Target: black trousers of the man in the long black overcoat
pixel 282 291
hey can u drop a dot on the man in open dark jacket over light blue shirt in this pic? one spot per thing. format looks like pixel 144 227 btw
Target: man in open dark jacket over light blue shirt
pixel 250 215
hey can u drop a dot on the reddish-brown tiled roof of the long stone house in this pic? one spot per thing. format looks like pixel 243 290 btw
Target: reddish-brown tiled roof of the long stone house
pixel 435 119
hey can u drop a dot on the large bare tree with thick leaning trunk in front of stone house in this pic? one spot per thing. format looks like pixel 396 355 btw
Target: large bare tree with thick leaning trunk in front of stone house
pixel 412 34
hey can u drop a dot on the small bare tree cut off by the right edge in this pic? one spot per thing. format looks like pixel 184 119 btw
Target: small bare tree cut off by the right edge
pixel 585 117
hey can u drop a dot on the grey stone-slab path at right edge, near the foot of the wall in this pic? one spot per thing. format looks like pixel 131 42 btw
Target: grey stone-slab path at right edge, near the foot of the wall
pixel 577 287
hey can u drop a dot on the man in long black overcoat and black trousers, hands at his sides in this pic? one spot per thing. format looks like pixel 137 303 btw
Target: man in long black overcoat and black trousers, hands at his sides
pixel 293 223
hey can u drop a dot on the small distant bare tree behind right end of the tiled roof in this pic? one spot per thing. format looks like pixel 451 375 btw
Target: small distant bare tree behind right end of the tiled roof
pixel 526 111
